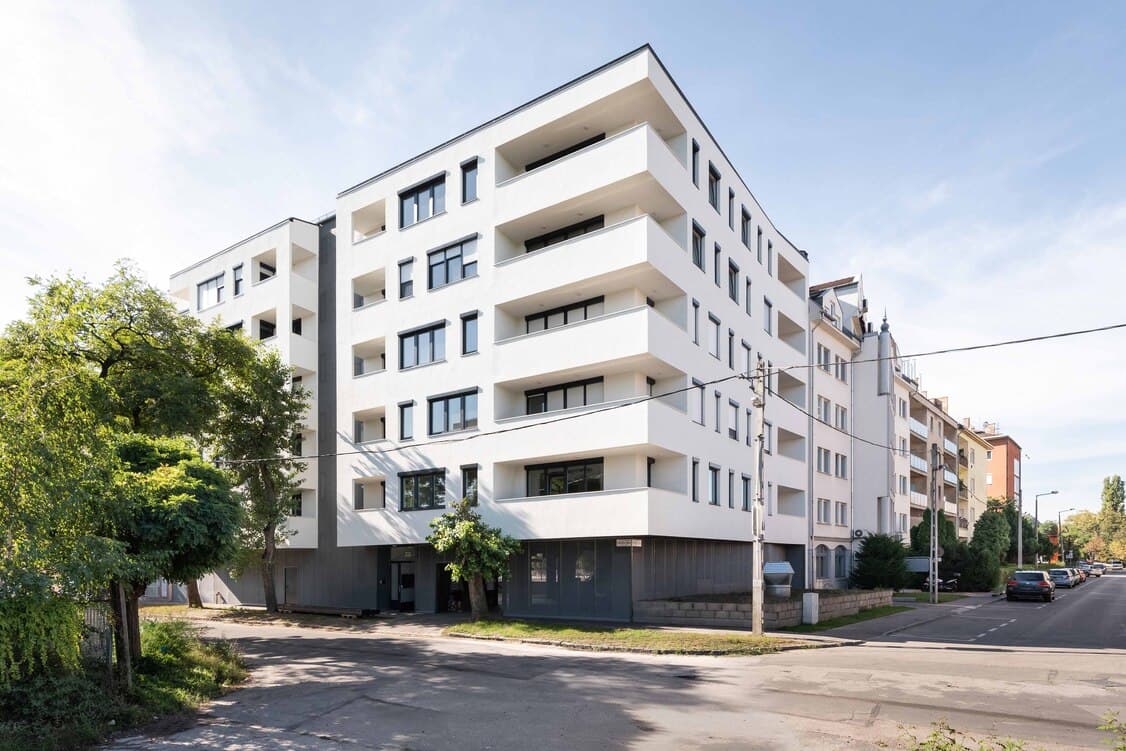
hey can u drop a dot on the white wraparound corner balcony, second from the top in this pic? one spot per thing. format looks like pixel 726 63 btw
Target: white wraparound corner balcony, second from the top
pixel 637 252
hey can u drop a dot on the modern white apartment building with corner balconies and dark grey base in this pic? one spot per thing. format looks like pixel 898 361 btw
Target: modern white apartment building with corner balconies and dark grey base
pixel 491 319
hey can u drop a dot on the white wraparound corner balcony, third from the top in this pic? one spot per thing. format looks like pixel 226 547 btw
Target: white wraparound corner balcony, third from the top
pixel 629 334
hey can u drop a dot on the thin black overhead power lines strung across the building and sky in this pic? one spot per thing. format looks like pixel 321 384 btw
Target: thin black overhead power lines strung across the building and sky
pixel 639 400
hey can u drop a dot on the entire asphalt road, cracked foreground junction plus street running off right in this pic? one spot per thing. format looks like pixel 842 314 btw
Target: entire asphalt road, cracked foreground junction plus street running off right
pixel 348 691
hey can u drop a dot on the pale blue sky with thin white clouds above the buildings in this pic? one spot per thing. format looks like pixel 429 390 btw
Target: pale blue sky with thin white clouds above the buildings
pixel 967 158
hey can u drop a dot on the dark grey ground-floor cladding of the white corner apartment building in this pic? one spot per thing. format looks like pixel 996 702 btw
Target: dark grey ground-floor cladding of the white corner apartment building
pixel 598 579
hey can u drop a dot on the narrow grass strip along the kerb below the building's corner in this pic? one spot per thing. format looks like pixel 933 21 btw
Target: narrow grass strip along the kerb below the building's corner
pixel 659 641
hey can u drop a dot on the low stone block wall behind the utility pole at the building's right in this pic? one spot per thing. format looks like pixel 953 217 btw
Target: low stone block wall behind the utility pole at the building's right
pixel 737 614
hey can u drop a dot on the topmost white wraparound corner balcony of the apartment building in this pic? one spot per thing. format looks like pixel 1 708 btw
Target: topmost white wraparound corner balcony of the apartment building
pixel 637 159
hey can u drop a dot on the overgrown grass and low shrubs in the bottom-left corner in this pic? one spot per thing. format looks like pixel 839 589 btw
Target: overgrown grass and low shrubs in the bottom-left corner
pixel 178 672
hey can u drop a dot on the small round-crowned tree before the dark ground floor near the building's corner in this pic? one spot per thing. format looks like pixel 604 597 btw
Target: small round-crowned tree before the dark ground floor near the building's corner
pixel 477 551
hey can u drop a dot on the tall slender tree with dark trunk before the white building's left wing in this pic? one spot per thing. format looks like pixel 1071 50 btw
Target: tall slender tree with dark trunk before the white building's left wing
pixel 254 433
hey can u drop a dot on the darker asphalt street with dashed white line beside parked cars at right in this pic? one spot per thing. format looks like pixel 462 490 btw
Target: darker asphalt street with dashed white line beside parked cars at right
pixel 1091 616
